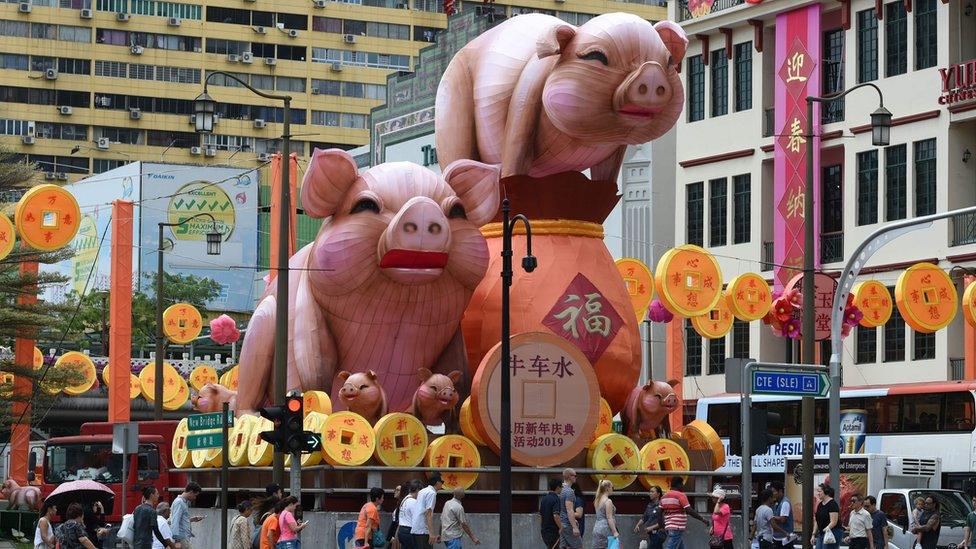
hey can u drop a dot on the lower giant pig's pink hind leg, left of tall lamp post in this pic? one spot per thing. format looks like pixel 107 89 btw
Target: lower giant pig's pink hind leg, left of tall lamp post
pixel 257 356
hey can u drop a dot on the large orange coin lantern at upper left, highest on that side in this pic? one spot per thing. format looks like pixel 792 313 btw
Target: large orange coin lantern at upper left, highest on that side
pixel 47 217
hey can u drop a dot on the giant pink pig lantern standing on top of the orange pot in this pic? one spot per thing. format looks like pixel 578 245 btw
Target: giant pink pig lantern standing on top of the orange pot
pixel 539 96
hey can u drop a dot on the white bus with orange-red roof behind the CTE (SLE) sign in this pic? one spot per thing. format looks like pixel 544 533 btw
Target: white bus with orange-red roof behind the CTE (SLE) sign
pixel 934 419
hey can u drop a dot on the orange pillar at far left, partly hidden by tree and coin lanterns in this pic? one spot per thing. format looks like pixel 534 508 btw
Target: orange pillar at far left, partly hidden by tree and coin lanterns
pixel 23 358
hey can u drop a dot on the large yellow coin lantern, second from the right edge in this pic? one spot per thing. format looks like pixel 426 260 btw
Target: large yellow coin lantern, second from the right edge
pixel 926 297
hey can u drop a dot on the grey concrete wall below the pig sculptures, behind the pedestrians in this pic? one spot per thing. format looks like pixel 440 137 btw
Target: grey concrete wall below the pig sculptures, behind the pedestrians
pixel 321 531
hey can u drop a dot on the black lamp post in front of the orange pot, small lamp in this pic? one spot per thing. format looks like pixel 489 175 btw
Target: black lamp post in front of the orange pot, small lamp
pixel 505 460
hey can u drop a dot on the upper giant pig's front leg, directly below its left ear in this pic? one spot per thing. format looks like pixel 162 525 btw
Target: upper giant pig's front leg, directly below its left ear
pixel 523 116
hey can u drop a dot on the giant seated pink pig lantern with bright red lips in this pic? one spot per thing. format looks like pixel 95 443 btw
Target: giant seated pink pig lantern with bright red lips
pixel 385 282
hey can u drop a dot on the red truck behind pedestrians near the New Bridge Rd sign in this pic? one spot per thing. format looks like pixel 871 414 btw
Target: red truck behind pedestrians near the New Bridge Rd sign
pixel 89 456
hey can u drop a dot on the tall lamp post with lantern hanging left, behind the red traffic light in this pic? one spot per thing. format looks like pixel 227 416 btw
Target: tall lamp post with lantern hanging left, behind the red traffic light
pixel 205 108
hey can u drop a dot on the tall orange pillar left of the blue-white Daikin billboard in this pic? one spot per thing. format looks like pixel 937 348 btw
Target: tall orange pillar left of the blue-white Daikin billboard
pixel 120 313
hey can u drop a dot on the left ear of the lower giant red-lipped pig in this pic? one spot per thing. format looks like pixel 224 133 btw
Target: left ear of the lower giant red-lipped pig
pixel 330 174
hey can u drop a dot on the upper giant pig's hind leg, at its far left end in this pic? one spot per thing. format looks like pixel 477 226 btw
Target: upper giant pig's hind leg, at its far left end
pixel 454 114
